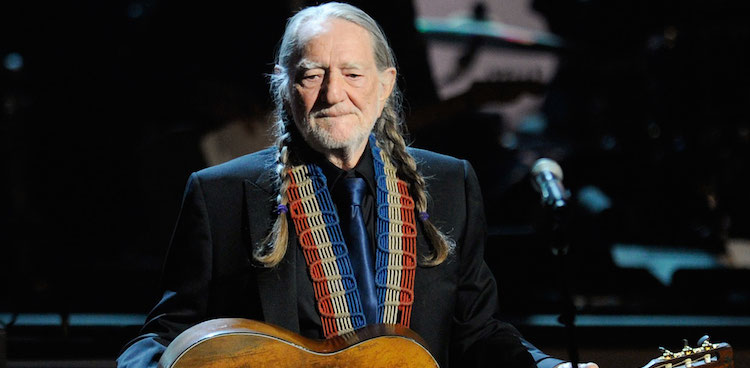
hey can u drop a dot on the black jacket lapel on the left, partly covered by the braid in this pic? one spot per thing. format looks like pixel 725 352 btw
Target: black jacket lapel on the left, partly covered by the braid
pixel 277 286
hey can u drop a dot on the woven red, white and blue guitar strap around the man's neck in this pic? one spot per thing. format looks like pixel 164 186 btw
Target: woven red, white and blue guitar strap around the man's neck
pixel 316 223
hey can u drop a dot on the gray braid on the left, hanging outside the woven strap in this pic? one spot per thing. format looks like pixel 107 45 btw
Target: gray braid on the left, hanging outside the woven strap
pixel 273 248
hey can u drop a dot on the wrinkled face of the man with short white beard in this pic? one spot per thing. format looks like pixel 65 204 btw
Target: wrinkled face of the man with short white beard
pixel 338 93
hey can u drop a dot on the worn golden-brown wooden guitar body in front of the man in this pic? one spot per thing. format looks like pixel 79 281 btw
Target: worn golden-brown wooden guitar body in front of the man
pixel 236 342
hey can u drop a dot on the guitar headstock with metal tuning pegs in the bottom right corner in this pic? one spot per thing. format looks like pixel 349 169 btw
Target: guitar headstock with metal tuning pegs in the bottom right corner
pixel 705 355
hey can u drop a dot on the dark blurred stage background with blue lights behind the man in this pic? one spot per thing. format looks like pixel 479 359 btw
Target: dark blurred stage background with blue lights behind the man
pixel 108 106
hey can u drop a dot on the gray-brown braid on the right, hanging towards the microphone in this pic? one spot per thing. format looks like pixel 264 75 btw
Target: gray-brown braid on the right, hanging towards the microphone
pixel 393 143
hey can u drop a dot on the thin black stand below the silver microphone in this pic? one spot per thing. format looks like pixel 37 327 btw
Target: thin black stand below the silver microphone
pixel 555 232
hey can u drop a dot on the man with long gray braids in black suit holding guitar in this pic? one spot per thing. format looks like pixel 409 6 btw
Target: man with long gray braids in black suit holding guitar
pixel 332 229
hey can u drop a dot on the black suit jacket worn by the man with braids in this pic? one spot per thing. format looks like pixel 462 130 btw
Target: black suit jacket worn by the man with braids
pixel 228 208
